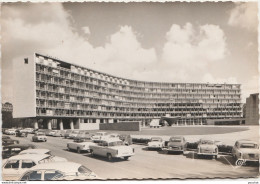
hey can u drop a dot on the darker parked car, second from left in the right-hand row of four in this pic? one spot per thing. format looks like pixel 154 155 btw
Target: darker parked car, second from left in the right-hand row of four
pixel 176 144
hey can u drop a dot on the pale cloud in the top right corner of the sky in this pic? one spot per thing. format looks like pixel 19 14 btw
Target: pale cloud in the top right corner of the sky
pixel 244 15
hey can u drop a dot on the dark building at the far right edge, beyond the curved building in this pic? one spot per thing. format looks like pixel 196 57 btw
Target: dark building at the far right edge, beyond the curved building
pixel 252 109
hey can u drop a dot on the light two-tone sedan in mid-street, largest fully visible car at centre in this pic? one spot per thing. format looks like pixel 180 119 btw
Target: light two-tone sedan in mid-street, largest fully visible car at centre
pixel 112 148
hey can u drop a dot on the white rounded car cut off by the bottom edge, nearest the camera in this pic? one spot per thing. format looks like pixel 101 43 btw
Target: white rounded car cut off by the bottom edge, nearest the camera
pixel 58 171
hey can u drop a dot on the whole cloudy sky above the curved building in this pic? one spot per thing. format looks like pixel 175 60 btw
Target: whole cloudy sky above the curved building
pixel 173 42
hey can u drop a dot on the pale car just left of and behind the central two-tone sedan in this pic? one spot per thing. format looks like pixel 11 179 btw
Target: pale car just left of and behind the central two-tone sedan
pixel 80 145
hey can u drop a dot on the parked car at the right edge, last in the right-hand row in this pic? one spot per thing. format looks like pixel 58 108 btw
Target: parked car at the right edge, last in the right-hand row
pixel 245 151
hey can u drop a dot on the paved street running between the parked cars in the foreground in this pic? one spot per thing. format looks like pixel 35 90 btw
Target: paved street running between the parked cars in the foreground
pixel 149 164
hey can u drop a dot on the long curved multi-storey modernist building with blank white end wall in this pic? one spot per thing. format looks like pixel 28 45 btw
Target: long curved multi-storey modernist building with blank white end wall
pixel 47 88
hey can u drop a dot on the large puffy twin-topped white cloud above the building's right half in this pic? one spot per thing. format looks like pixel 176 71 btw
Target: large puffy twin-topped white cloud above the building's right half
pixel 188 52
